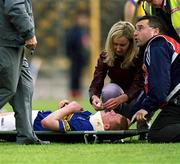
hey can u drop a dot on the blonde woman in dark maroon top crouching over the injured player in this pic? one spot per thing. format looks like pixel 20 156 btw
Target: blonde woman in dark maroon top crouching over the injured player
pixel 121 63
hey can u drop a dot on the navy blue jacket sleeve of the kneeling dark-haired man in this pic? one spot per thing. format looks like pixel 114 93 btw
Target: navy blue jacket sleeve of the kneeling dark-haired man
pixel 159 76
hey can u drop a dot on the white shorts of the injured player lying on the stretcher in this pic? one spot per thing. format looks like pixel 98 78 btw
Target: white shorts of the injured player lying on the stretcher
pixel 7 120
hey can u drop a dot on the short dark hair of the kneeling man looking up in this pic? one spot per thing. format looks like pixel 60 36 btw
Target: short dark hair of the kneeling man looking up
pixel 154 22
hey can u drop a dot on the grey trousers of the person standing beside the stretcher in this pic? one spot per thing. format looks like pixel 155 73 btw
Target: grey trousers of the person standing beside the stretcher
pixel 16 87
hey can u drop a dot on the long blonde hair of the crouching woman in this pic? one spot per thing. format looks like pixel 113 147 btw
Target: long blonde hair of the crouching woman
pixel 120 29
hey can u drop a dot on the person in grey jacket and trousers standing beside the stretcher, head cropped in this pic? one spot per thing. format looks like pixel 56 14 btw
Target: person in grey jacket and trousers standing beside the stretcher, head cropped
pixel 16 85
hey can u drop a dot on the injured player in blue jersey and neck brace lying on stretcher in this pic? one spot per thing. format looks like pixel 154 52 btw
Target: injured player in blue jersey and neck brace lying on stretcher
pixel 69 117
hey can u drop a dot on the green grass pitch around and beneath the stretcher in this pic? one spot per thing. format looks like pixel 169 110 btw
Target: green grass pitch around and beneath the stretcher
pixel 131 151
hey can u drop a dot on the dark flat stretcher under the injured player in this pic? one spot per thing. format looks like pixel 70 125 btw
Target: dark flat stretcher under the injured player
pixel 78 136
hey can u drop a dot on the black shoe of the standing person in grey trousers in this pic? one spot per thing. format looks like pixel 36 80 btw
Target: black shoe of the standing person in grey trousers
pixel 33 142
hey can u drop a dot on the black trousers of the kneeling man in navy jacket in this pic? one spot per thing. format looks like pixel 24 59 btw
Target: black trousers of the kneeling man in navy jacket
pixel 166 127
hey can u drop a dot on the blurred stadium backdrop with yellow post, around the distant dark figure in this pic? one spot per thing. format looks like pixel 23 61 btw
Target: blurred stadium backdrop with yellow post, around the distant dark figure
pixel 52 17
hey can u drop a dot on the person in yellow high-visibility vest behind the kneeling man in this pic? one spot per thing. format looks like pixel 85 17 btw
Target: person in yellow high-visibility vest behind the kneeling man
pixel 169 12
